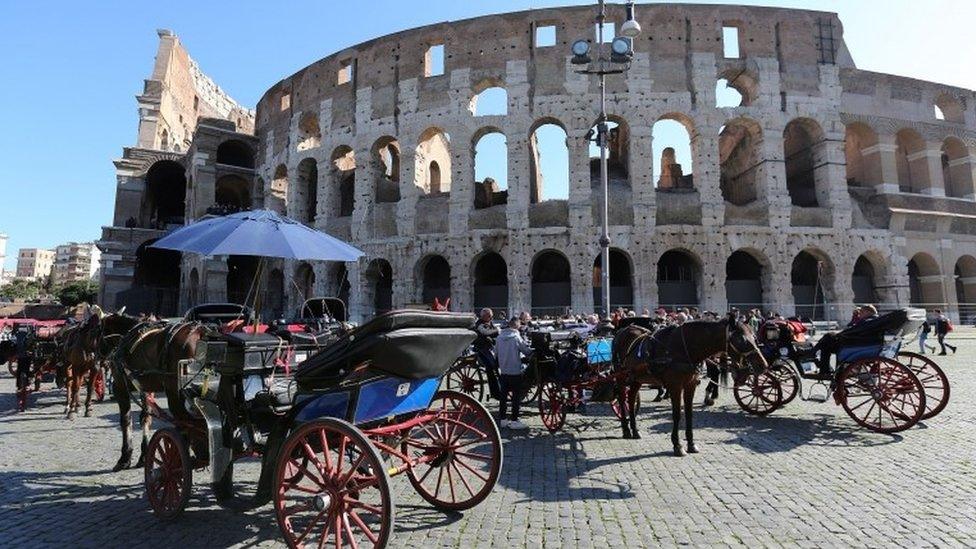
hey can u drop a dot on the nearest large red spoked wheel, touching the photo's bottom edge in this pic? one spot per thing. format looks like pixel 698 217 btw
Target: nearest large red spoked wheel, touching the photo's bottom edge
pixel 331 488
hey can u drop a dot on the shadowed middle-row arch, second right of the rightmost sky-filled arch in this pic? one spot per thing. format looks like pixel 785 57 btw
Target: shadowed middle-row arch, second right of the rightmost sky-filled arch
pixel 803 149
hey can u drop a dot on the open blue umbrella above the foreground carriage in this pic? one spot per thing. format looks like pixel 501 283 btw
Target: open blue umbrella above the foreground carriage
pixel 260 233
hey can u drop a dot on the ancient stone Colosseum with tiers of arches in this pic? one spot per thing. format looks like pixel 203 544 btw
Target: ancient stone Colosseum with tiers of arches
pixel 817 186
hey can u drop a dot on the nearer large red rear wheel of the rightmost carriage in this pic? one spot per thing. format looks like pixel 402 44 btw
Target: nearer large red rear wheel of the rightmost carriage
pixel 880 394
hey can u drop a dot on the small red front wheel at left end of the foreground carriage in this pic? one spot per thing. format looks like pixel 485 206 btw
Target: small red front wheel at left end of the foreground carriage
pixel 168 473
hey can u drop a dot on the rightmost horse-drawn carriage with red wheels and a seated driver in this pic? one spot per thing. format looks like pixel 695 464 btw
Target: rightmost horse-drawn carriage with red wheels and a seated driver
pixel 880 386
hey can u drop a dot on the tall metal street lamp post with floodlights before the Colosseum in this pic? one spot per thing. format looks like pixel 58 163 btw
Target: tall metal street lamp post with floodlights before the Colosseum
pixel 621 54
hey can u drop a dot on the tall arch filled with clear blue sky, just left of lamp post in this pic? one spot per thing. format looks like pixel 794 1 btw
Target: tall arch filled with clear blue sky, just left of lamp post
pixel 548 162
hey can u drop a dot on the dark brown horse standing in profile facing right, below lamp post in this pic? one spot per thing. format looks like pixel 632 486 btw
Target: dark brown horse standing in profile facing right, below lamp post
pixel 669 358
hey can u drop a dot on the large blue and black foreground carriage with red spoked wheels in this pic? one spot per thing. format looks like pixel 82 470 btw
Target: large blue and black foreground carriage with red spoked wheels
pixel 331 429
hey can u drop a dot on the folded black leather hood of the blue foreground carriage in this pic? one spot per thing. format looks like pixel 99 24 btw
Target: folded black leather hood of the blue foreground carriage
pixel 408 344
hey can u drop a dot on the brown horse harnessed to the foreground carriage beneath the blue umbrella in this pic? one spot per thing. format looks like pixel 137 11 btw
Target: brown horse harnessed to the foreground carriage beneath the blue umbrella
pixel 146 361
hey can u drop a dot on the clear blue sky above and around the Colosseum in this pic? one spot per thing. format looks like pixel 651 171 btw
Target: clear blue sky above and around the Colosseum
pixel 70 71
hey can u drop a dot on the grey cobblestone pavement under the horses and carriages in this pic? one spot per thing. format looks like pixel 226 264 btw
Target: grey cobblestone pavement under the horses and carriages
pixel 807 475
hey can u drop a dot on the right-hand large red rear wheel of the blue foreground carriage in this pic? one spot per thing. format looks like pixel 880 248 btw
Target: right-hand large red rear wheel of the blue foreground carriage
pixel 462 452
